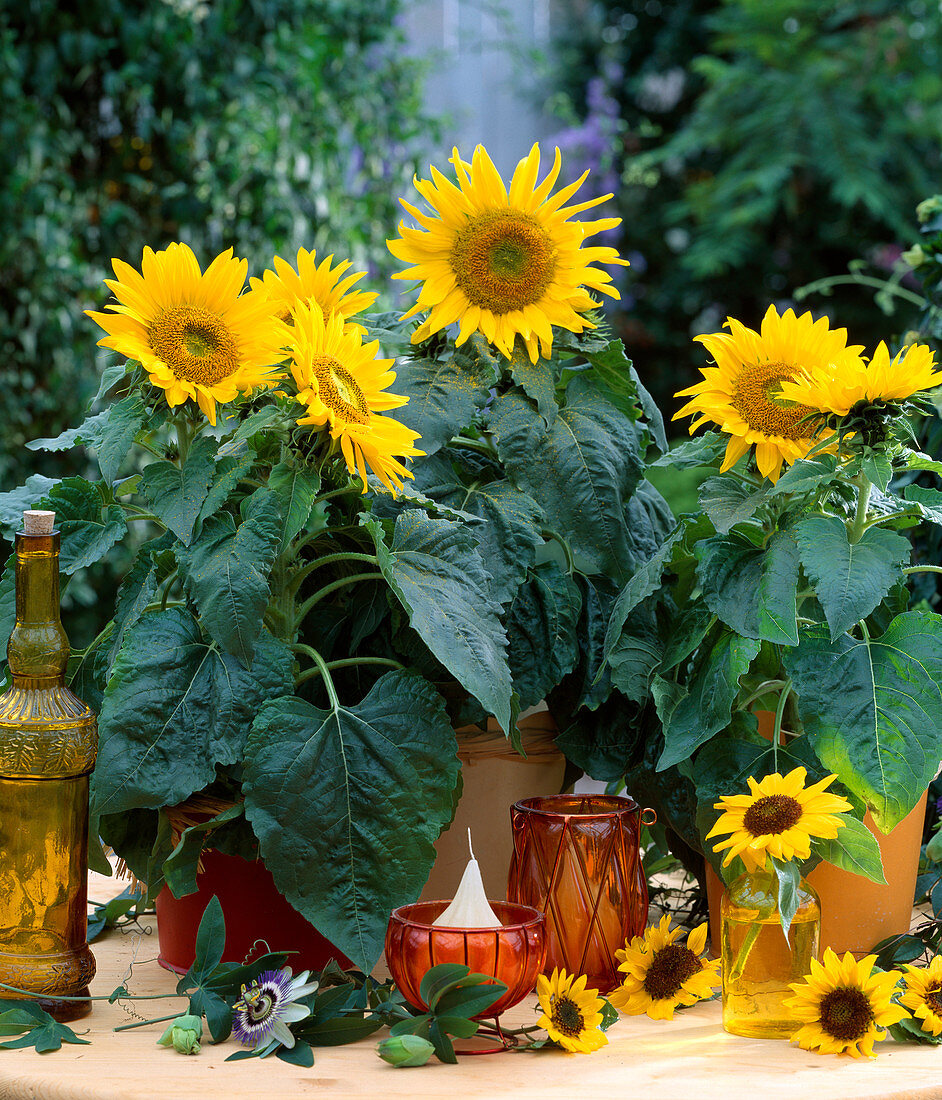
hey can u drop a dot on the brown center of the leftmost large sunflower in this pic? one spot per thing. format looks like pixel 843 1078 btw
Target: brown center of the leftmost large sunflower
pixel 195 344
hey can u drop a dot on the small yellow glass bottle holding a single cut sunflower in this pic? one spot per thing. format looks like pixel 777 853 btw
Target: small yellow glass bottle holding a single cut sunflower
pixel 759 962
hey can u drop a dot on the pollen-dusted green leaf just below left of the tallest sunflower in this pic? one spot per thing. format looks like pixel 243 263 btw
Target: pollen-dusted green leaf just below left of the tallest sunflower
pixel 445 394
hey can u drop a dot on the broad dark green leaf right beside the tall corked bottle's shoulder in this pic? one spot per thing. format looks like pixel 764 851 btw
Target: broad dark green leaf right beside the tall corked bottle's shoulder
pixel 174 709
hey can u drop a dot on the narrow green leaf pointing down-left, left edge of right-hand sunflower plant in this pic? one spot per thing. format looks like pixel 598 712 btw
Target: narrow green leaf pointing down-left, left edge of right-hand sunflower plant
pixel 702 711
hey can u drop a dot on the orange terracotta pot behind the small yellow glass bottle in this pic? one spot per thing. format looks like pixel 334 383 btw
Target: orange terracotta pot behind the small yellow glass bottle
pixel 857 914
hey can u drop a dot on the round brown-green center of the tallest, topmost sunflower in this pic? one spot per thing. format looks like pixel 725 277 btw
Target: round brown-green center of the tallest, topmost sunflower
pixel 503 260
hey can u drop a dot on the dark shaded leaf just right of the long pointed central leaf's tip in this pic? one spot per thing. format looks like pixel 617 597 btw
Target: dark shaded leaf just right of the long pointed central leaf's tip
pixel 542 633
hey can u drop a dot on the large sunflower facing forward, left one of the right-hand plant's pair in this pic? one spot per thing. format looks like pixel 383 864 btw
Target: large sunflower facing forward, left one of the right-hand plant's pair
pixel 742 393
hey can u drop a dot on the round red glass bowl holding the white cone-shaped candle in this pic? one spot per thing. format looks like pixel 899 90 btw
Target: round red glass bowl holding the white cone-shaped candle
pixel 513 954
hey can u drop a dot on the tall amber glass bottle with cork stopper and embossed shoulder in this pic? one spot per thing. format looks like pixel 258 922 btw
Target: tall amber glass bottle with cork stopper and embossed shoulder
pixel 48 746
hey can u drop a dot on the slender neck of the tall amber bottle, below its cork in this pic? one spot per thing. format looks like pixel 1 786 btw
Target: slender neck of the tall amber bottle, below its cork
pixel 38 651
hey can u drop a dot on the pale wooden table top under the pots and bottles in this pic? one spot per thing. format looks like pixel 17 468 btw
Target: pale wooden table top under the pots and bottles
pixel 688 1059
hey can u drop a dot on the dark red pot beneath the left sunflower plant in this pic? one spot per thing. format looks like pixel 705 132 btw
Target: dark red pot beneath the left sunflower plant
pixel 254 910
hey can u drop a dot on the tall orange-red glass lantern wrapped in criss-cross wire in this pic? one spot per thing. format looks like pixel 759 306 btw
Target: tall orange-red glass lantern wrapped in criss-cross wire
pixel 577 860
